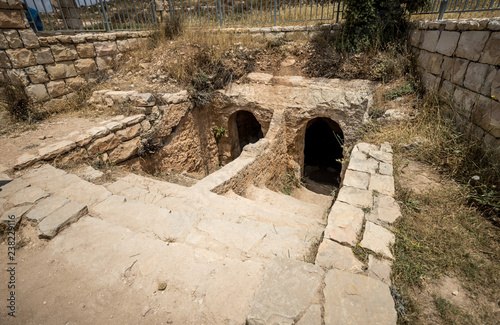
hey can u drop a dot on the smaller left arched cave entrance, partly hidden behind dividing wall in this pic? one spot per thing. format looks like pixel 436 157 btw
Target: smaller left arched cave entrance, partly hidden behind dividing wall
pixel 246 130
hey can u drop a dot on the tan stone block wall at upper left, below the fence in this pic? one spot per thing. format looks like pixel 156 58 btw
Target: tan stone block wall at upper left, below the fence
pixel 52 67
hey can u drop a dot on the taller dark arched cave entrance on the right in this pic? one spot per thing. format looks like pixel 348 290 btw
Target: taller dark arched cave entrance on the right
pixel 322 154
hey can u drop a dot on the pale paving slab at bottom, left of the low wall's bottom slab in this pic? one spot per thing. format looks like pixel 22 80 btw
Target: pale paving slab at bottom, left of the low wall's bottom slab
pixel 289 288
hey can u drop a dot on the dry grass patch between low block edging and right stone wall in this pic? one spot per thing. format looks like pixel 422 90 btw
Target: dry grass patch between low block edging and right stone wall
pixel 444 231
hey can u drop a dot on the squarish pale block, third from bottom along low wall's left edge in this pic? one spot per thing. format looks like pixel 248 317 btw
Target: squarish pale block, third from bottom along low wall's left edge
pixel 344 223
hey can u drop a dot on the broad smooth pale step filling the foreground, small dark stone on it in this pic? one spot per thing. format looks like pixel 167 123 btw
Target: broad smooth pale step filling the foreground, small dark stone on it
pixel 200 287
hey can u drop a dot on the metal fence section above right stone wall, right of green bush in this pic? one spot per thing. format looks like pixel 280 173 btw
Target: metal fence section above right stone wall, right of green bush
pixel 442 7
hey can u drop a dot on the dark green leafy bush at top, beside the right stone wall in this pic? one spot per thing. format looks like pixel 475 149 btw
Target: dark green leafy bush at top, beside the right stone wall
pixel 374 23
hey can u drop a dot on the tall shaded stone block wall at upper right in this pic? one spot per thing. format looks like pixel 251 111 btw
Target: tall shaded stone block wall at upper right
pixel 460 60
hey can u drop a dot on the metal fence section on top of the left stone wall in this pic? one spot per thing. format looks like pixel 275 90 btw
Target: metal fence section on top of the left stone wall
pixel 90 15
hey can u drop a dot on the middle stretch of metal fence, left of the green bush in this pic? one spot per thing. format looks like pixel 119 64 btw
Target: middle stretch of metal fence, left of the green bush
pixel 255 12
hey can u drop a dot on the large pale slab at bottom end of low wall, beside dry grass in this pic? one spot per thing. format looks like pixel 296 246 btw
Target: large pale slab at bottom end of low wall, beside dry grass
pixel 357 299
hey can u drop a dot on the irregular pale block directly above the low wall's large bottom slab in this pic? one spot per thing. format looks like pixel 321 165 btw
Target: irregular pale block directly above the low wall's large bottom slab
pixel 332 255
